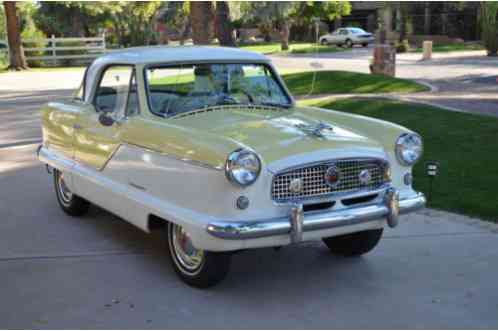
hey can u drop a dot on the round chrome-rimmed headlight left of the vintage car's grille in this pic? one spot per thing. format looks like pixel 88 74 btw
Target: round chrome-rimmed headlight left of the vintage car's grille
pixel 242 167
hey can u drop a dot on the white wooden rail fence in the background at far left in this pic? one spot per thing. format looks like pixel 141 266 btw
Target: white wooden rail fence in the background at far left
pixel 54 49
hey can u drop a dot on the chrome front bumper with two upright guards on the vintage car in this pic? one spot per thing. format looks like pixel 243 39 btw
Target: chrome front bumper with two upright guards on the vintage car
pixel 298 222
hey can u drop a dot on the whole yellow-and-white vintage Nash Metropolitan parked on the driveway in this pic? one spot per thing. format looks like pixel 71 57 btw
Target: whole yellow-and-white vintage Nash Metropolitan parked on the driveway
pixel 208 145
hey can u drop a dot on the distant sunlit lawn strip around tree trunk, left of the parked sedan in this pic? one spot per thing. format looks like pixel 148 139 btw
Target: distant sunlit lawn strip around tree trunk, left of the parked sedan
pixel 295 48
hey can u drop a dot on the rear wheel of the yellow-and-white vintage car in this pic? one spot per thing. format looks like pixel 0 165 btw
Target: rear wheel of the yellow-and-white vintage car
pixel 70 203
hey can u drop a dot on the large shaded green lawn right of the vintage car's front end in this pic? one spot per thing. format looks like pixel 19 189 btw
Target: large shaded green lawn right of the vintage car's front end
pixel 463 144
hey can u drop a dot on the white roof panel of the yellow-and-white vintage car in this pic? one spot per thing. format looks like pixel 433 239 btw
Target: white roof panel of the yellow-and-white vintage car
pixel 158 54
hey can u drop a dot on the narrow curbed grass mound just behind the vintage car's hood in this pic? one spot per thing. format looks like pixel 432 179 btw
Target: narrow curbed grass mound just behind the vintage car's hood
pixel 348 82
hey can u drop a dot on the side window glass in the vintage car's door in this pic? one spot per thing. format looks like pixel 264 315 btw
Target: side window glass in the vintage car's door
pixel 112 93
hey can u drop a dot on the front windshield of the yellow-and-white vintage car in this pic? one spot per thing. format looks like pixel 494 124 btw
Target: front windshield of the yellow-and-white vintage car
pixel 182 88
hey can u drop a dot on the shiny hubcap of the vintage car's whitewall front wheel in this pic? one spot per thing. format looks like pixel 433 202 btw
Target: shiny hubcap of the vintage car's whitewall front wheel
pixel 189 257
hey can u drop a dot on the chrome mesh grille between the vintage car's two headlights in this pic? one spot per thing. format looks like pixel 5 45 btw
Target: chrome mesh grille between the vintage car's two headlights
pixel 314 185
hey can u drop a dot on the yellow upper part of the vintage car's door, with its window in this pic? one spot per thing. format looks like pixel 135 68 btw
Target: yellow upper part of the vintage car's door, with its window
pixel 95 143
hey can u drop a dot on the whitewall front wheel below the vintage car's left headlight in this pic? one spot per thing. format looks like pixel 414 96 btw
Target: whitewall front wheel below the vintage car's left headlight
pixel 196 267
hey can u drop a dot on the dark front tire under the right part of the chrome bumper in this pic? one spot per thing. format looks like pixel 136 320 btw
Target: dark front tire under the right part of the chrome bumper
pixel 354 244
